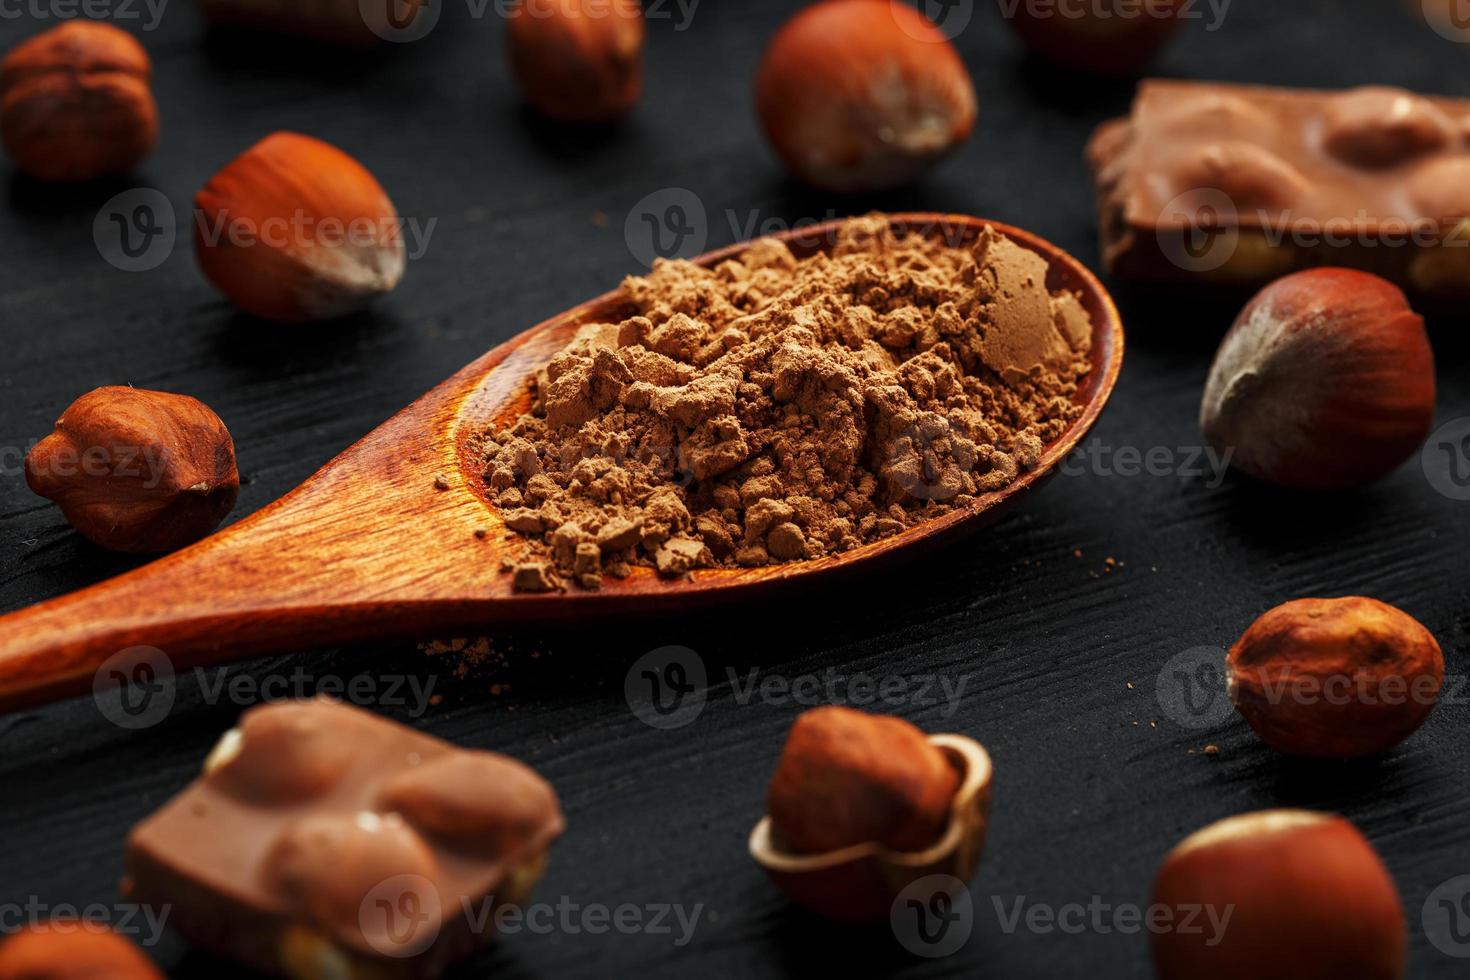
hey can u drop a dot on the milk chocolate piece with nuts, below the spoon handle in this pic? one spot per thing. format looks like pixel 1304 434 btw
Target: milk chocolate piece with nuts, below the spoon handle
pixel 324 841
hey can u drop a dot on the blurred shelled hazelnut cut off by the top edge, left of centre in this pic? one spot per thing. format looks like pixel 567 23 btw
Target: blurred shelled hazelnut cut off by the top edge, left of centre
pixel 578 61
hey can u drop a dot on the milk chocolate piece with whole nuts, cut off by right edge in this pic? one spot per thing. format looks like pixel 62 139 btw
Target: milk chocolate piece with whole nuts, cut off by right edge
pixel 1241 184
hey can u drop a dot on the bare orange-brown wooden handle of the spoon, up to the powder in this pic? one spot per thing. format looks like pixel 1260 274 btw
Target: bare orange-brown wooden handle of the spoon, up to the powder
pixel 352 555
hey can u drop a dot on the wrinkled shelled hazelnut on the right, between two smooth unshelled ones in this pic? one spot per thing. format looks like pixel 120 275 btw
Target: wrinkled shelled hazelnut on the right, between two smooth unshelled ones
pixel 1335 678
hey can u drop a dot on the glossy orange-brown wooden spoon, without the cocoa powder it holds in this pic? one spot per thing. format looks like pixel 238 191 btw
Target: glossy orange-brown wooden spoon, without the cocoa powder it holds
pixel 383 540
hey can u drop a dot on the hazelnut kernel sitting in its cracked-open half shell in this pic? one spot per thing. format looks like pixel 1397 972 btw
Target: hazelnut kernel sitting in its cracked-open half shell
pixel 864 806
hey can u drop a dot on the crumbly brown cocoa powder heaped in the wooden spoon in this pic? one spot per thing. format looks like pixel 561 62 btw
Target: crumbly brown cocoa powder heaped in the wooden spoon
pixel 774 409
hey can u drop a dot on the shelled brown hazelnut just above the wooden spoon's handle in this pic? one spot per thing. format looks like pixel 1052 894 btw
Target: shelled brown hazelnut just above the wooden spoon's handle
pixel 137 471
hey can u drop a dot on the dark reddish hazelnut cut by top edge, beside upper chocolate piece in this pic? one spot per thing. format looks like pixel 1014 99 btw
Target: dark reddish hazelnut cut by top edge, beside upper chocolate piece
pixel 1106 37
